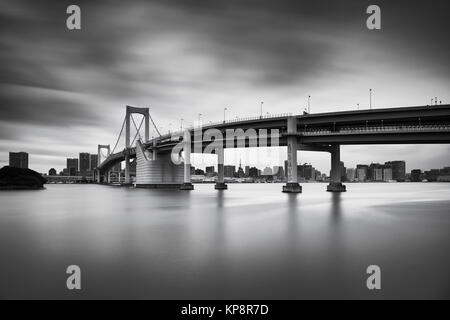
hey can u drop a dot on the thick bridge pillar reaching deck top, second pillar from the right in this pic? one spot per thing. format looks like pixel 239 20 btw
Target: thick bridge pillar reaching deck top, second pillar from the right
pixel 292 185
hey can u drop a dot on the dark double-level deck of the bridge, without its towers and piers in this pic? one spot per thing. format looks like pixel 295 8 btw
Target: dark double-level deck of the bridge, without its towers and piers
pixel 408 125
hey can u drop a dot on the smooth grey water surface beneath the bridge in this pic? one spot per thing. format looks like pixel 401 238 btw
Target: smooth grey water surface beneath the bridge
pixel 248 242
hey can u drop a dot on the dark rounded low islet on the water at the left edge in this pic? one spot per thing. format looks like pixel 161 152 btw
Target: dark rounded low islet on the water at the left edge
pixel 16 178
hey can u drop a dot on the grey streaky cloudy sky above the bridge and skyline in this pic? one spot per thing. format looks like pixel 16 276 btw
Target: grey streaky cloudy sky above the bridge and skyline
pixel 63 92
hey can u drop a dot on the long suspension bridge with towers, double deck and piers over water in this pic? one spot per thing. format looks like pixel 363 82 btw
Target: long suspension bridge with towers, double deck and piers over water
pixel 323 132
